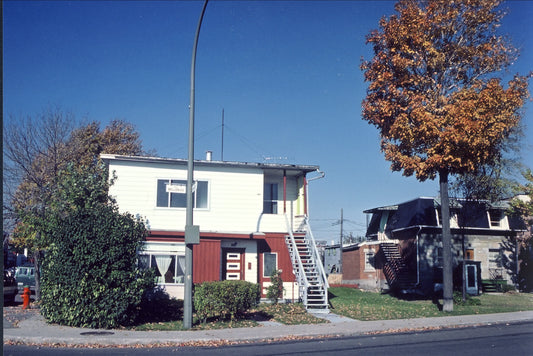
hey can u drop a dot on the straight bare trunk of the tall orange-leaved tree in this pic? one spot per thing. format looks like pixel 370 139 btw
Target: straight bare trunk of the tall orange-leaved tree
pixel 447 269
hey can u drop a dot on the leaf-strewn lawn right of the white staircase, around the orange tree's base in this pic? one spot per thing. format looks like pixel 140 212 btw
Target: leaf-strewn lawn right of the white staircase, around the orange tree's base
pixel 360 305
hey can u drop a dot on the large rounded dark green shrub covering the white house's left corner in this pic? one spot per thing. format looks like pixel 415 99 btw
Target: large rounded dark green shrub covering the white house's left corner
pixel 90 273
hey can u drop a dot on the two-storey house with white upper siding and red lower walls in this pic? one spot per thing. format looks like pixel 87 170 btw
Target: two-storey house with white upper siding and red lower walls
pixel 252 219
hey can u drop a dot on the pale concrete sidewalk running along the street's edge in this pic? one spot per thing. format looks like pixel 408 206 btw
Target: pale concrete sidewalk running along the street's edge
pixel 34 330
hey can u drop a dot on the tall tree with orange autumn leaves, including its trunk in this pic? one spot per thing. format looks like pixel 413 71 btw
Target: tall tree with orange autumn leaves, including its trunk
pixel 434 96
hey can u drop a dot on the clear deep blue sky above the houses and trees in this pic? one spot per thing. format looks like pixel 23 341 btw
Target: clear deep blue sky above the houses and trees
pixel 286 74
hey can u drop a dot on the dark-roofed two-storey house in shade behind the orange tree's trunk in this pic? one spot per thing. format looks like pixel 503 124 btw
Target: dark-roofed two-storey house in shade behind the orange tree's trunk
pixel 403 250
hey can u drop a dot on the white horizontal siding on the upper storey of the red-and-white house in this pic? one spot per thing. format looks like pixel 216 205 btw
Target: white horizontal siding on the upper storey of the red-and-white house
pixel 235 197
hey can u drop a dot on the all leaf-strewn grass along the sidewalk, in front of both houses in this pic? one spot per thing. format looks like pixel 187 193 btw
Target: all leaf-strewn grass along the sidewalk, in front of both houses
pixel 349 302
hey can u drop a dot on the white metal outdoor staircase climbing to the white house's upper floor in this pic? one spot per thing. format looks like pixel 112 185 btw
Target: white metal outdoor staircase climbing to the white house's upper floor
pixel 308 269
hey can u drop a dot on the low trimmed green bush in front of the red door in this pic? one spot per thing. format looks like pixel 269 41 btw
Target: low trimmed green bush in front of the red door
pixel 225 298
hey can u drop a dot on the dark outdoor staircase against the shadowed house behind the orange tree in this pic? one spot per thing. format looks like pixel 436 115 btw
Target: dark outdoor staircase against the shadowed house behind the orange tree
pixel 398 275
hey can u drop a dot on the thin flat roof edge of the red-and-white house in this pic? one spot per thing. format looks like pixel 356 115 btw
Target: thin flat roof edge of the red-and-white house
pixel 295 168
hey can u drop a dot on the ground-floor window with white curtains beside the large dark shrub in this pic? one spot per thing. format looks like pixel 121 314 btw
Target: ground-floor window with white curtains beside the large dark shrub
pixel 167 261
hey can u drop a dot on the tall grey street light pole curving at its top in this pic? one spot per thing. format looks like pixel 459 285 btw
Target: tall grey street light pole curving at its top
pixel 192 233
